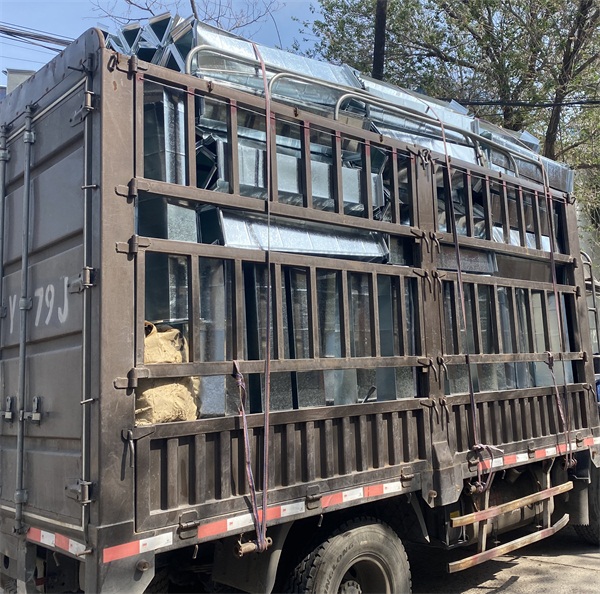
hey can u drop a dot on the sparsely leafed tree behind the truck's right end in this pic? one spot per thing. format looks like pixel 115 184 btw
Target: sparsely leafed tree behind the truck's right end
pixel 517 62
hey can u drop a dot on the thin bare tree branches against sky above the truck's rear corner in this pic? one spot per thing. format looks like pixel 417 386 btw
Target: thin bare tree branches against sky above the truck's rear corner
pixel 226 14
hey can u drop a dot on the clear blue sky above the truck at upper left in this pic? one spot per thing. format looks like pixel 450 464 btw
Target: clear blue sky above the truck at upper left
pixel 70 18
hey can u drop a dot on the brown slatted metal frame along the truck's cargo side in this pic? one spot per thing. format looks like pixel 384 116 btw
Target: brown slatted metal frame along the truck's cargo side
pixel 515 433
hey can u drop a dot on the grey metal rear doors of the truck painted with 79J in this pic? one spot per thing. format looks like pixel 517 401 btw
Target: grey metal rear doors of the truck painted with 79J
pixel 53 342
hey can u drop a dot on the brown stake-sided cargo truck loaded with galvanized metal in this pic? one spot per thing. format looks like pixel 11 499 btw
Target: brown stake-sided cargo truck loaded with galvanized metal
pixel 265 320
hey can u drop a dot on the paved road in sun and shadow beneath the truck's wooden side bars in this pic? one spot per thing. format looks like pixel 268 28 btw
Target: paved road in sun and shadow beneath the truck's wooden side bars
pixel 561 564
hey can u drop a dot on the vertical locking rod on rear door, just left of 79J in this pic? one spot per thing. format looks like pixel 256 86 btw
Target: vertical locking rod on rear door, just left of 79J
pixel 24 307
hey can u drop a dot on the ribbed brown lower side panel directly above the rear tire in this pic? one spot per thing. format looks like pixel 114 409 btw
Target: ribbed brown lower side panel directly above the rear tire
pixel 198 467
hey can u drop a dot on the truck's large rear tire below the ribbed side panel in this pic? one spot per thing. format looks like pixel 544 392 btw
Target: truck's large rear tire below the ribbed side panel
pixel 362 555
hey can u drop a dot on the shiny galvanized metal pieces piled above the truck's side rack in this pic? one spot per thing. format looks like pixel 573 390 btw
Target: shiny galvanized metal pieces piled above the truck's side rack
pixel 329 88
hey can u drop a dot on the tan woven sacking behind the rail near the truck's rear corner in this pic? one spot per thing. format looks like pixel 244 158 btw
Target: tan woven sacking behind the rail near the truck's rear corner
pixel 166 399
